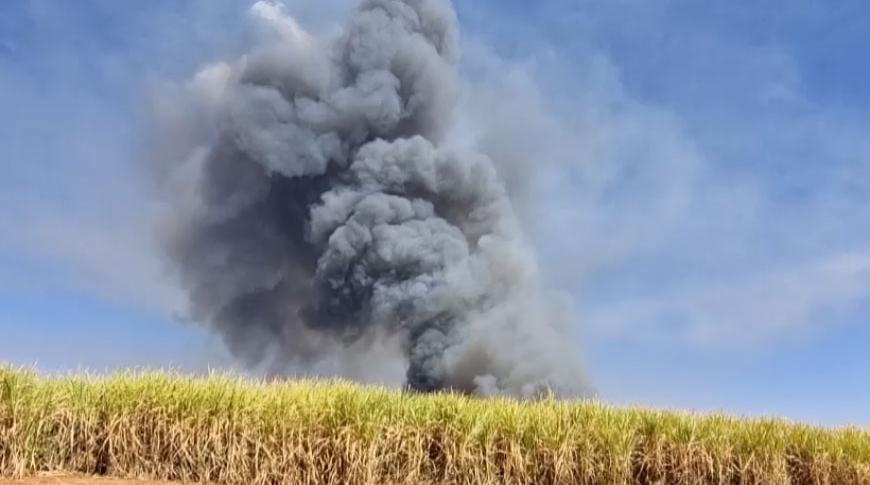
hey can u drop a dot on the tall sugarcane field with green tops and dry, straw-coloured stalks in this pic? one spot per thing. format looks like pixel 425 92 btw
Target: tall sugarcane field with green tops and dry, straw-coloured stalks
pixel 228 430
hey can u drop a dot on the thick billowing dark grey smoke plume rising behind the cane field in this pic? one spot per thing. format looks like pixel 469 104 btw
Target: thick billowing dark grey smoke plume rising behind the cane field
pixel 316 216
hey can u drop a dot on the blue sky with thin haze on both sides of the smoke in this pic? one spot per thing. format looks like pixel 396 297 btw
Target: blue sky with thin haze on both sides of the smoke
pixel 700 185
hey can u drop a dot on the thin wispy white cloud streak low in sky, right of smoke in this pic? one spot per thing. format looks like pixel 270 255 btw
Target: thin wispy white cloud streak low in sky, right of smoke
pixel 745 310
